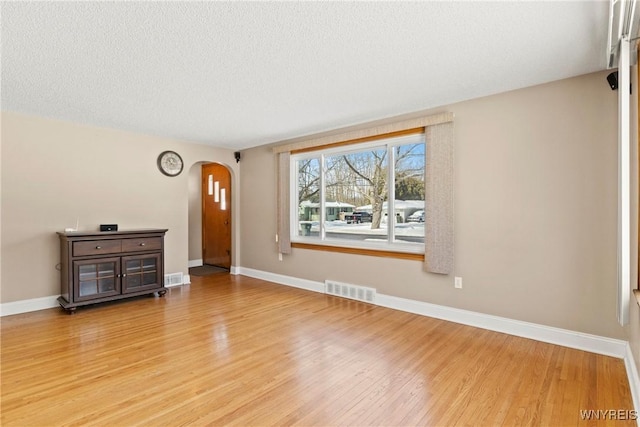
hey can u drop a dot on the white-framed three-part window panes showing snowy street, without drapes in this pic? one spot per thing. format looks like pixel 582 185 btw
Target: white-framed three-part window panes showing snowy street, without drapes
pixel 367 195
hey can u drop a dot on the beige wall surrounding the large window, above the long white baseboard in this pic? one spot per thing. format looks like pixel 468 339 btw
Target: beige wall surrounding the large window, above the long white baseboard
pixel 535 213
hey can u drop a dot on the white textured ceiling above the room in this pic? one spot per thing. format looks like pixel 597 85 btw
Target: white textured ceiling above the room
pixel 241 74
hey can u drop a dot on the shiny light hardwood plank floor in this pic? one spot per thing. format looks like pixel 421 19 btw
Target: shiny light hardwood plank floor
pixel 232 350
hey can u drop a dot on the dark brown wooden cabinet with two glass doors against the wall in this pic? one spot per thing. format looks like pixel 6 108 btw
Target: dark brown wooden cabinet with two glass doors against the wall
pixel 106 266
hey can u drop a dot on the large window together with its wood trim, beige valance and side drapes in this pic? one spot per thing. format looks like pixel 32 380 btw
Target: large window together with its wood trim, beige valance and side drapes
pixel 306 176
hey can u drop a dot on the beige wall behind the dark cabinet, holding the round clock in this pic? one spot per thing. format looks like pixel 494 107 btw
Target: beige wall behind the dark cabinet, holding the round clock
pixel 54 172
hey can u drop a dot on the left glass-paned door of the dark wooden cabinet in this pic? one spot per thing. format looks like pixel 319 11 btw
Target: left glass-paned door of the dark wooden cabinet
pixel 96 278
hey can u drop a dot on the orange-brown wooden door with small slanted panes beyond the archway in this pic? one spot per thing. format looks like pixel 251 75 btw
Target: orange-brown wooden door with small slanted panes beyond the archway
pixel 216 215
